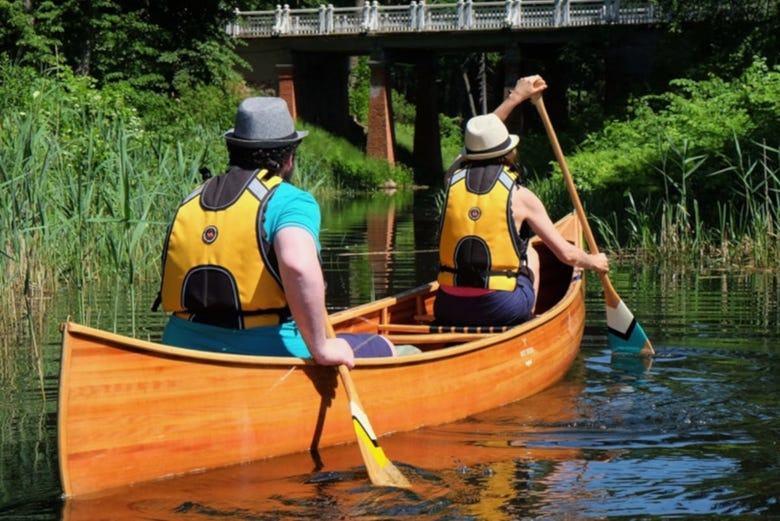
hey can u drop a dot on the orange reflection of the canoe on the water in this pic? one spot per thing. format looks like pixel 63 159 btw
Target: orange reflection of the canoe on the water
pixel 518 434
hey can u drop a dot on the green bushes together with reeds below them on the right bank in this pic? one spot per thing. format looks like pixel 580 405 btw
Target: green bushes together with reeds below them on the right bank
pixel 692 174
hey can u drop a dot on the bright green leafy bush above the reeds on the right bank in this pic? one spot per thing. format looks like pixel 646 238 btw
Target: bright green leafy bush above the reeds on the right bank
pixel 702 118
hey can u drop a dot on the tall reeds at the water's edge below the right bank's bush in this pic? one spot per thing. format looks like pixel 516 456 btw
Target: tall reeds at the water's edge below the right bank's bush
pixel 671 230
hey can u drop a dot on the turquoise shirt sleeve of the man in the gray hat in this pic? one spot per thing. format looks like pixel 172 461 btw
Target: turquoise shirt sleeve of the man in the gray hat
pixel 291 206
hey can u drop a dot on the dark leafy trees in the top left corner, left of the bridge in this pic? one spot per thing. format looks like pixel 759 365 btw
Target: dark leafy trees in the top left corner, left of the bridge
pixel 161 46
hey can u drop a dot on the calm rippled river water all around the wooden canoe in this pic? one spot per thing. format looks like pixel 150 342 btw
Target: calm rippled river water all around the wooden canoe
pixel 693 436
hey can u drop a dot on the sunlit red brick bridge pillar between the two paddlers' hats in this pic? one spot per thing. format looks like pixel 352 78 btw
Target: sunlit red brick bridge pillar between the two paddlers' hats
pixel 380 141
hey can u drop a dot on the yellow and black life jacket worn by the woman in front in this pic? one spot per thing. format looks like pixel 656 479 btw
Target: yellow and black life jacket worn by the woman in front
pixel 479 245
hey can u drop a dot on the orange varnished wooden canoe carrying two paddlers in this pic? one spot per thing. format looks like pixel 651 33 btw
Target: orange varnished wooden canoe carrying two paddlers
pixel 132 411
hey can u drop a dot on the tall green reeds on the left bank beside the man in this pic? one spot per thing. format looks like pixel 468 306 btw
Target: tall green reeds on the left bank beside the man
pixel 86 193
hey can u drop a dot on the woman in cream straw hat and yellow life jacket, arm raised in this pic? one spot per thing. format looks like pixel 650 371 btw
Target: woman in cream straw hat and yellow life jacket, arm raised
pixel 487 272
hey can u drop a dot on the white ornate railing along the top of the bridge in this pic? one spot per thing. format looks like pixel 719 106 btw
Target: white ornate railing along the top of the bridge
pixel 373 18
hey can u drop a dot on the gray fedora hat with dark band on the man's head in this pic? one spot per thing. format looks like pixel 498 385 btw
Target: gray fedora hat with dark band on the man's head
pixel 264 122
